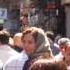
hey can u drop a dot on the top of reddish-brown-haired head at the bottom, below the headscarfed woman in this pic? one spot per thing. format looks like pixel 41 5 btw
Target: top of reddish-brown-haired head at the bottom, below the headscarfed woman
pixel 48 65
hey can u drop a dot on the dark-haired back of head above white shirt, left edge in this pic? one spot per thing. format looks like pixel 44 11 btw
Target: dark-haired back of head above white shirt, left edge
pixel 4 37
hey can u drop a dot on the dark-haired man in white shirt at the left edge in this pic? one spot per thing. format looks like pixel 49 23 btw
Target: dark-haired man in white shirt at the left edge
pixel 6 52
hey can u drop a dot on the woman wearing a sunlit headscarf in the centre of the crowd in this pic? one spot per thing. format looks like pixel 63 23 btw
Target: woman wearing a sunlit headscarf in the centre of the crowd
pixel 35 44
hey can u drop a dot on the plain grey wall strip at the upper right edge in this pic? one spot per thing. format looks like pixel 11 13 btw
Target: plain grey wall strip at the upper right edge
pixel 66 4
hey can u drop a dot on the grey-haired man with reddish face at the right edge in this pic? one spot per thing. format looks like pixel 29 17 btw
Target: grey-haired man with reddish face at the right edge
pixel 64 44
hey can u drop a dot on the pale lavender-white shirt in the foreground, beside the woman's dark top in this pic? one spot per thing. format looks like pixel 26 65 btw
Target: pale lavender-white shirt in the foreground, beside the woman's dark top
pixel 17 62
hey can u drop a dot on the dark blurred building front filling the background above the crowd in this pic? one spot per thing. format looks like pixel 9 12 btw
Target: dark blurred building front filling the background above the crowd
pixel 51 14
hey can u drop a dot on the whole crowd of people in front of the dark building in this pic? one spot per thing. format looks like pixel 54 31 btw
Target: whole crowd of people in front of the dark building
pixel 34 49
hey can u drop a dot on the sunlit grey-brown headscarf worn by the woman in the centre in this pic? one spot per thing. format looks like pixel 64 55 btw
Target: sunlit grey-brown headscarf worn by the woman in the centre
pixel 42 43
